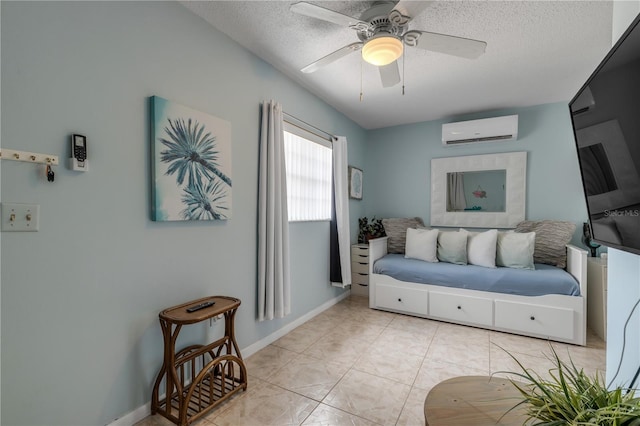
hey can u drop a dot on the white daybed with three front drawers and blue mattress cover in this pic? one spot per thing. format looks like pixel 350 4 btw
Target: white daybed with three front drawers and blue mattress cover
pixel 537 313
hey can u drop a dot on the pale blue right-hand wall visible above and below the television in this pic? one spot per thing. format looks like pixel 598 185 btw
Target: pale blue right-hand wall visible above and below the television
pixel 623 271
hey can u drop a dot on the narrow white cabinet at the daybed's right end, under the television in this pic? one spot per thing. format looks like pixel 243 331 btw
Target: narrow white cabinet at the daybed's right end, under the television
pixel 597 296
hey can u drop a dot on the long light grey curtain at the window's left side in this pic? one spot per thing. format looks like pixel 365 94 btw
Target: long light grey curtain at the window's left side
pixel 274 288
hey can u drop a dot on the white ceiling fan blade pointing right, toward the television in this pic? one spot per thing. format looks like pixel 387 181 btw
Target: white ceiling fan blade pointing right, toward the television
pixel 450 45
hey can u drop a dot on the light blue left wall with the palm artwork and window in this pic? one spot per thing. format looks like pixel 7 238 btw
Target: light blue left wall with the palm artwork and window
pixel 81 342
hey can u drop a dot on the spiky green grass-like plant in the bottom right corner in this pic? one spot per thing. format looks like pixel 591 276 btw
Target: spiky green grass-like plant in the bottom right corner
pixel 571 397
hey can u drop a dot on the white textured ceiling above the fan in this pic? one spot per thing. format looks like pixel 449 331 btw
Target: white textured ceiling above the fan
pixel 537 52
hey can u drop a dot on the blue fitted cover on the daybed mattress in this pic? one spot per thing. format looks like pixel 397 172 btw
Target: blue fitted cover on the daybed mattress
pixel 546 279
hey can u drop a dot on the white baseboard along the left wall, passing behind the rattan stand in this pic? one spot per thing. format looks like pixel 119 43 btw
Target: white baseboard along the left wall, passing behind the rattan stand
pixel 144 411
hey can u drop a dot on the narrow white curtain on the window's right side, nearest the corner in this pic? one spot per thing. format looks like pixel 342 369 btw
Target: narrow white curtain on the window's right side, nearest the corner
pixel 341 188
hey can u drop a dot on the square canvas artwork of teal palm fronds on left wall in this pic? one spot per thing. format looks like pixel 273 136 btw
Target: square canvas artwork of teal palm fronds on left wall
pixel 191 163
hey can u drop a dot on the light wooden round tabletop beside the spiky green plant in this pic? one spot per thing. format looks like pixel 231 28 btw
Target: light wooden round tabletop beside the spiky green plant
pixel 474 400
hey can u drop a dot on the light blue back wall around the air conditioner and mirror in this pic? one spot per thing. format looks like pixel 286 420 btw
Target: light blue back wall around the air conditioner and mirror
pixel 399 163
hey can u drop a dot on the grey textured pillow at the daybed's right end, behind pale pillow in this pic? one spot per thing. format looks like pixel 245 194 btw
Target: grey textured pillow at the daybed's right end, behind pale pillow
pixel 552 237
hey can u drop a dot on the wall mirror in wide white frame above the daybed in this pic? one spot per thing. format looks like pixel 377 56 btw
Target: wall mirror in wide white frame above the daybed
pixel 479 191
